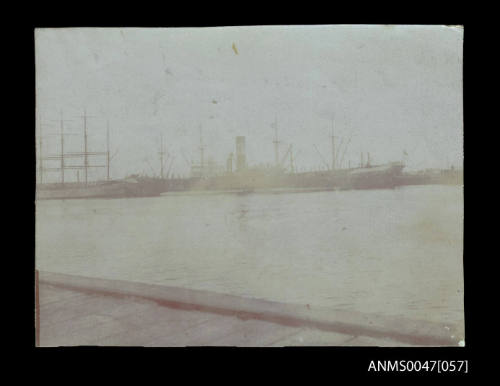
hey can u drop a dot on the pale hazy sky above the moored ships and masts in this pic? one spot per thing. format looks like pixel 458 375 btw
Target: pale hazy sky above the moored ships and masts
pixel 388 88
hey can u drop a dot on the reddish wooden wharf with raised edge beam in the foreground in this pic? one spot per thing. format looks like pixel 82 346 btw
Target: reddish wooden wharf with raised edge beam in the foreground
pixel 75 311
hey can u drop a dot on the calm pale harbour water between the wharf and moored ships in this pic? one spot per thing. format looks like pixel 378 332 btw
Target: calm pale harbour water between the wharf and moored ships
pixel 394 252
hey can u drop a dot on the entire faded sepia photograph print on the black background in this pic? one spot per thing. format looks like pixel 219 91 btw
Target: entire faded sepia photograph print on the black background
pixel 249 186
